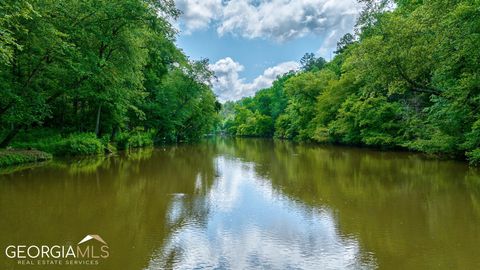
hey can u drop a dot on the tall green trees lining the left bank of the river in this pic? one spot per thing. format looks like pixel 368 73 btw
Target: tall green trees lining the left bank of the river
pixel 108 68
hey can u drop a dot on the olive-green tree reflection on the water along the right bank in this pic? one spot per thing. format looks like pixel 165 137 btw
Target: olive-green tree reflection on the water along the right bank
pixel 411 213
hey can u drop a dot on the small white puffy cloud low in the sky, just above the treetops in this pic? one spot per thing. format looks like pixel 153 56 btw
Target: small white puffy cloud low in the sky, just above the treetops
pixel 230 86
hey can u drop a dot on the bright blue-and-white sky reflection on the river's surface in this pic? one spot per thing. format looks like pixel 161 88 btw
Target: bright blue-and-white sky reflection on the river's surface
pixel 250 225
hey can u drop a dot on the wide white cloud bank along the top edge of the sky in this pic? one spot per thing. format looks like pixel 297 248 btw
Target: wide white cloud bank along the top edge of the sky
pixel 280 20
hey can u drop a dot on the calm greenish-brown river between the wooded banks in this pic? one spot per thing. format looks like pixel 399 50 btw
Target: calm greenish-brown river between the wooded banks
pixel 249 204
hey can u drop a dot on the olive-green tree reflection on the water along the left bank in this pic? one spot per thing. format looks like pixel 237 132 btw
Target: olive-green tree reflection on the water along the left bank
pixel 124 199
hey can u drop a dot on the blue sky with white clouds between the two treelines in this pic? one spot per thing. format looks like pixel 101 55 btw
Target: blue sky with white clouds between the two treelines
pixel 251 42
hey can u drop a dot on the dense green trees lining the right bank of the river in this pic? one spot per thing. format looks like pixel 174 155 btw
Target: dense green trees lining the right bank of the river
pixel 409 77
